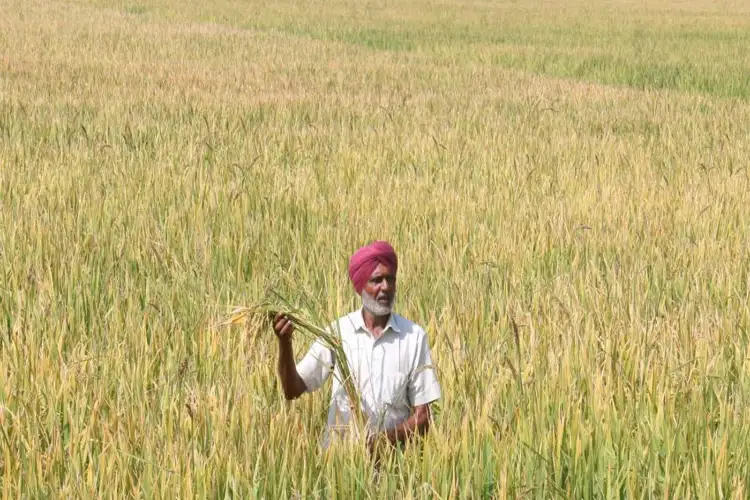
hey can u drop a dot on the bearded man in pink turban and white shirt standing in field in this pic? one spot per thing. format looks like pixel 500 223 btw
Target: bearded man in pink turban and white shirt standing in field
pixel 388 355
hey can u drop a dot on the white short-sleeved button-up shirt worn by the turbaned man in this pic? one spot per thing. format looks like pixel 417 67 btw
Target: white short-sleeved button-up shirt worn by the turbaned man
pixel 392 373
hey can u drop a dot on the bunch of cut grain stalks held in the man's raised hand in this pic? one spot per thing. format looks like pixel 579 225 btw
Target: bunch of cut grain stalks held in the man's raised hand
pixel 306 323
